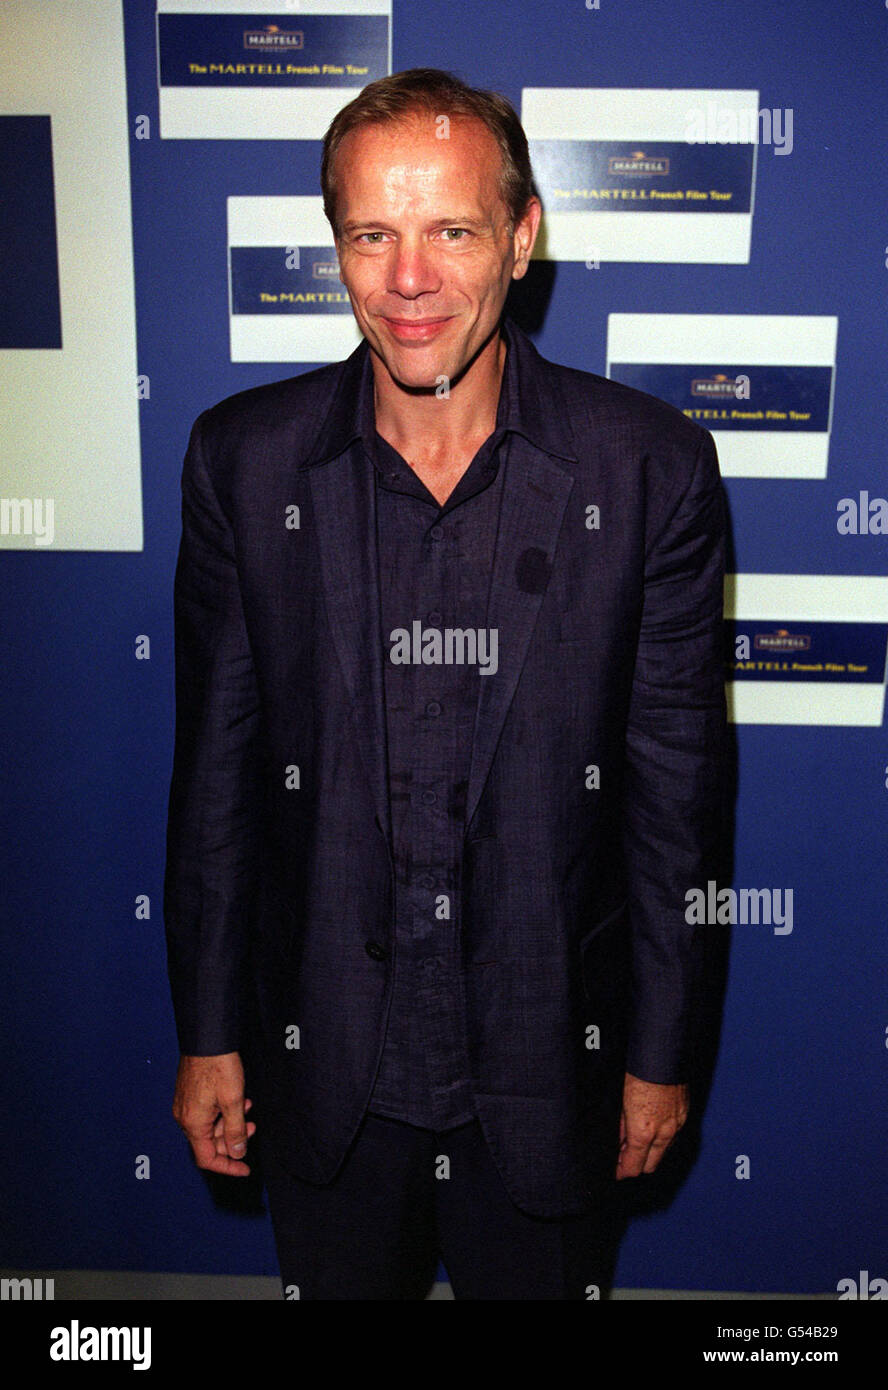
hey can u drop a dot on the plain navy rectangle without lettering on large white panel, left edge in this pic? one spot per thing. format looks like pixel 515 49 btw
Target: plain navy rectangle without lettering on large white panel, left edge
pixel 30 309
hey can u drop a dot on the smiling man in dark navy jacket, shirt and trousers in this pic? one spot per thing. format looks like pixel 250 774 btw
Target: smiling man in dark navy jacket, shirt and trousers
pixel 450 725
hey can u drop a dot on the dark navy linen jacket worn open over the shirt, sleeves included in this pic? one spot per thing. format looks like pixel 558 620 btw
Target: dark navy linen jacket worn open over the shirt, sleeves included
pixel 595 780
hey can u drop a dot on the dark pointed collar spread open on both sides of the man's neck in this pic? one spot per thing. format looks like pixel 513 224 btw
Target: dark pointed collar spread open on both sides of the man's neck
pixel 532 401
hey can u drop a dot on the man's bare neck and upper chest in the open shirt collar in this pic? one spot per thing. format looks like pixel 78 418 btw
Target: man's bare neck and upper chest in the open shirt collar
pixel 431 430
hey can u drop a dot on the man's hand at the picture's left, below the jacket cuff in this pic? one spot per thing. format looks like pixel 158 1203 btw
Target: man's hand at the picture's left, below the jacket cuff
pixel 211 1107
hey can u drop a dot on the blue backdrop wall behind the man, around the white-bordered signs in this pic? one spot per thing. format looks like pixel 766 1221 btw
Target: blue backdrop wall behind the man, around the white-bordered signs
pixel 798 1070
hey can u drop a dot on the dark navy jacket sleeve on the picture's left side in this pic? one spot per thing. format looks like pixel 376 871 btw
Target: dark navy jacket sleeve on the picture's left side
pixel 215 794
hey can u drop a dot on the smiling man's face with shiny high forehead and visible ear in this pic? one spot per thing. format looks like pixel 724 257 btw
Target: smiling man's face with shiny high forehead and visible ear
pixel 425 244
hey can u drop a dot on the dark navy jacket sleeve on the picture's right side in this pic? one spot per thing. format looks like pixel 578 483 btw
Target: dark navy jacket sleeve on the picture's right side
pixel 676 746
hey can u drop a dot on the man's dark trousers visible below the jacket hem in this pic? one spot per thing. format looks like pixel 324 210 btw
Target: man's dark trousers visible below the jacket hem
pixel 406 1197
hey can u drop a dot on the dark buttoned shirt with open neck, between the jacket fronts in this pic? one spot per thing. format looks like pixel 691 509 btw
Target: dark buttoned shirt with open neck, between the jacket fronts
pixel 436 566
